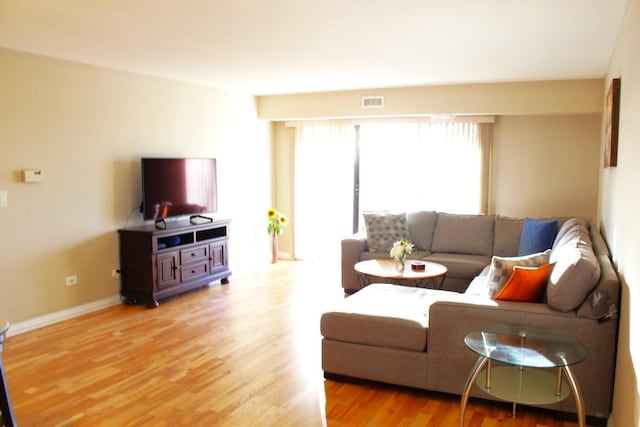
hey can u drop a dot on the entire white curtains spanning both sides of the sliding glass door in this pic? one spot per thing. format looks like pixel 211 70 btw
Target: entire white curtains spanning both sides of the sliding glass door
pixel 403 167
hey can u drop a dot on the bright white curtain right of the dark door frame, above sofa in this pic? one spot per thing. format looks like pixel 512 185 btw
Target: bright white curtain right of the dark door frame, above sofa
pixel 421 166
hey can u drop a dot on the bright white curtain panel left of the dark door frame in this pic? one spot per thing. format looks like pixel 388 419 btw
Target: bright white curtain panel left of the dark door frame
pixel 323 189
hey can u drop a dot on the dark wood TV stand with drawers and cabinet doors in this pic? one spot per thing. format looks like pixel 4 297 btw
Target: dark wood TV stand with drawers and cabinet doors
pixel 159 263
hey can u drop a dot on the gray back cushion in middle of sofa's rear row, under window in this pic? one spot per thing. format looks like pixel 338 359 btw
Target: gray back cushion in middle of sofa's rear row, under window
pixel 463 234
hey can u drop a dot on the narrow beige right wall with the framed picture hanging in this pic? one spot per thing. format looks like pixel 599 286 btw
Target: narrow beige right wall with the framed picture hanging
pixel 620 210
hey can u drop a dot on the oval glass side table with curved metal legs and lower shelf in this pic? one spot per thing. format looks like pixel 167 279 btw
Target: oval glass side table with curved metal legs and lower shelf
pixel 518 349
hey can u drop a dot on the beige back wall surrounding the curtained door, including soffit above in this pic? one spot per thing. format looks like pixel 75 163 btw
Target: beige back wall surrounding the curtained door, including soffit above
pixel 544 163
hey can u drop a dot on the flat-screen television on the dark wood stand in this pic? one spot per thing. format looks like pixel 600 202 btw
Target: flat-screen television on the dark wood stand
pixel 176 187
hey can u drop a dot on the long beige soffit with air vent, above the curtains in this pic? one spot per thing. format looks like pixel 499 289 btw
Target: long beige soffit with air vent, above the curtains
pixel 523 98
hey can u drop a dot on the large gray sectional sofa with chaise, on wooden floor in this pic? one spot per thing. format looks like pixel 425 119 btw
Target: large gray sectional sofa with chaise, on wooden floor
pixel 414 337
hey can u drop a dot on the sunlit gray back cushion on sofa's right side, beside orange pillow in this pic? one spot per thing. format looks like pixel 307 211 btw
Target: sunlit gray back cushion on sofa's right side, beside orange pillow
pixel 577 270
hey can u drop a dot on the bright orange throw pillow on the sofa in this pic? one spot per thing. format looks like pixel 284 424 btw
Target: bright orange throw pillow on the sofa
pixel 526 284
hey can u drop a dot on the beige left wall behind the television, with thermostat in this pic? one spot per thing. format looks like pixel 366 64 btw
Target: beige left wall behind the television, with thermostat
pixel 86 128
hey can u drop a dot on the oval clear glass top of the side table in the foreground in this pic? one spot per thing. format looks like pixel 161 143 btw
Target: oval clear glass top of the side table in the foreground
pixel 522 346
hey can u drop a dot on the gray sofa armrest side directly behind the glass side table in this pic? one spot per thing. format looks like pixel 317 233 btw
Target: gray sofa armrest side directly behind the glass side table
pixel 450 322
